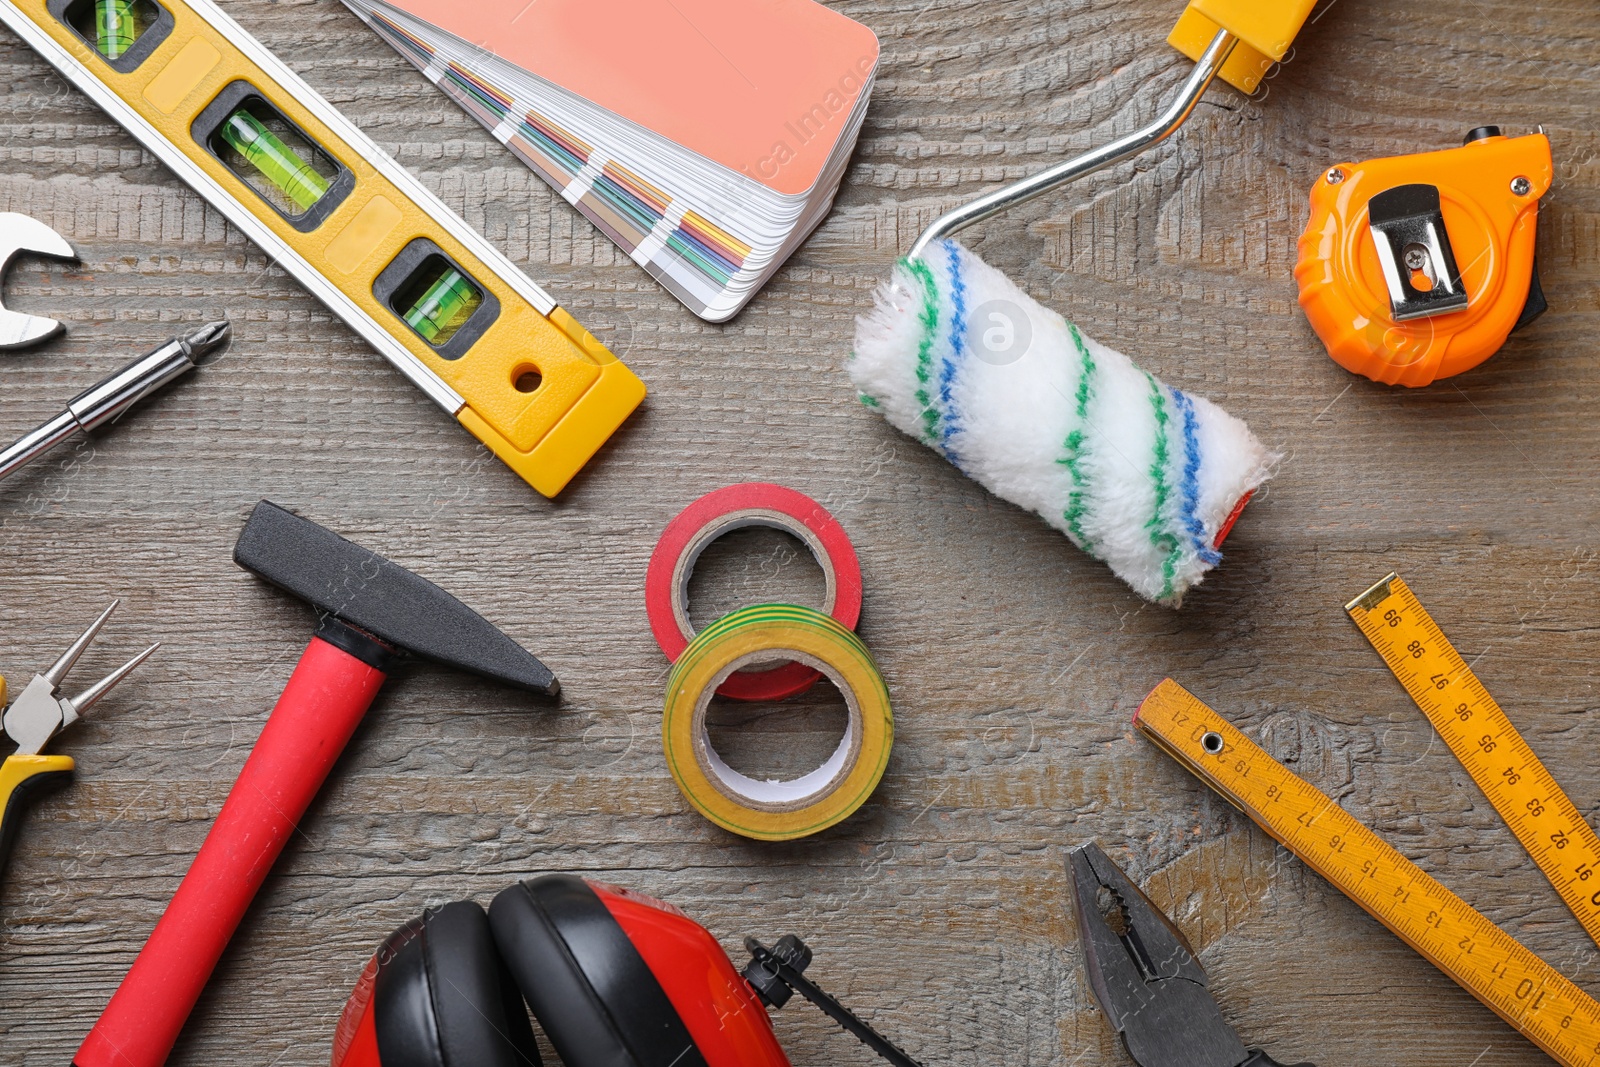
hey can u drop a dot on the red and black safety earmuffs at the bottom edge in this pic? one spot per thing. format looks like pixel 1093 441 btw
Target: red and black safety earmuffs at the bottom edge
pixel 615 980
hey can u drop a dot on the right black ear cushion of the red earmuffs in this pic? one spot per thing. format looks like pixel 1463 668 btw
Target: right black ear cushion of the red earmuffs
pixel 585 980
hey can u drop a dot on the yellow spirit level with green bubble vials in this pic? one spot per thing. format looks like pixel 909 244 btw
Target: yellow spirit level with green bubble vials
pixel 350 223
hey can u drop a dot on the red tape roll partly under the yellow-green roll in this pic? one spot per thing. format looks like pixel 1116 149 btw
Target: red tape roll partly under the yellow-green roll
pixel 740 508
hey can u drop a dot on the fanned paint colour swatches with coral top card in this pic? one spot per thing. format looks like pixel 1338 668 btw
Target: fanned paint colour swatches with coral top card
pixel 705 137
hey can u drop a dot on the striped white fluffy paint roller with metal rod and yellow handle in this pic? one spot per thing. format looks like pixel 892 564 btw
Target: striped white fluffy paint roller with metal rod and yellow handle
pixel 1137 473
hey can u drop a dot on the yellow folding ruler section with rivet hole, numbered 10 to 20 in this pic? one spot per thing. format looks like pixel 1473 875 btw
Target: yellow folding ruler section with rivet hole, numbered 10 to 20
pixel 1487 962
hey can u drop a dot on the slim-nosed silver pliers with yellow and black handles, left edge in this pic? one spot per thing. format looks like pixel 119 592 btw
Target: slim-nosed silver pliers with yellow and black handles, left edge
pixel 38 716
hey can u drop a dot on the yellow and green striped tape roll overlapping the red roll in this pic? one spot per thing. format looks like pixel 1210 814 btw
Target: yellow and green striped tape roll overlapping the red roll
pixel 777 812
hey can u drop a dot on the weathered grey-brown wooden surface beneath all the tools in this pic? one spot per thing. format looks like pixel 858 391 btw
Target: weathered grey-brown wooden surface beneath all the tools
pixel 942 909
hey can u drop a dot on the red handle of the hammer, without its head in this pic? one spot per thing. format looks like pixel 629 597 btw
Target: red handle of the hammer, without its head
pixel 321 708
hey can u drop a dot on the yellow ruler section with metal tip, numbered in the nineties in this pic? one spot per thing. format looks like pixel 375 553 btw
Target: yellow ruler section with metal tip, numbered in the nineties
pixel 1522 791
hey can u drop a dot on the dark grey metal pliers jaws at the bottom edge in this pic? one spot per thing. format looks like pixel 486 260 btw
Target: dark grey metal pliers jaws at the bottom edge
pixel 1145 975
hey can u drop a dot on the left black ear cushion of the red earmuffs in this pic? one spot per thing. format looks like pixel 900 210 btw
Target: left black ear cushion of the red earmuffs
pixel 444 997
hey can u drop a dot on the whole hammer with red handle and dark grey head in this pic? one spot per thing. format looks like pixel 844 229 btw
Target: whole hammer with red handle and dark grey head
pixel 372 615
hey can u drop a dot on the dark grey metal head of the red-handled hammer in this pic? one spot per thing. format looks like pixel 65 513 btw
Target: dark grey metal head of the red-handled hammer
pixel 383 599
